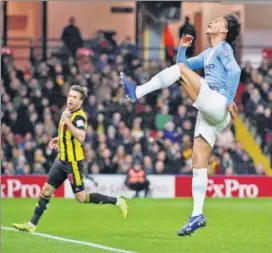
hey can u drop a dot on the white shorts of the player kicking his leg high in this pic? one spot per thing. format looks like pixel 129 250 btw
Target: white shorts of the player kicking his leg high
pixel 213 116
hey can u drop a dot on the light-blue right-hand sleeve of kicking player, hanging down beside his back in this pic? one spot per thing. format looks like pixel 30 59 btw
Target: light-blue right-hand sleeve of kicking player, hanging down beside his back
pixel 226 56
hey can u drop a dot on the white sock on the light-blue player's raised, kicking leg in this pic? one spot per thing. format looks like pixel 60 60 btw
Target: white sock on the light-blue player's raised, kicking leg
pixel 162 80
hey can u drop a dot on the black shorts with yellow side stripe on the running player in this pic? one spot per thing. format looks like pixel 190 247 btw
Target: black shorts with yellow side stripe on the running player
pixel 61 170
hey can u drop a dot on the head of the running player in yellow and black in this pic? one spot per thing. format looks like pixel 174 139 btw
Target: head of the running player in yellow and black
pixel 76 96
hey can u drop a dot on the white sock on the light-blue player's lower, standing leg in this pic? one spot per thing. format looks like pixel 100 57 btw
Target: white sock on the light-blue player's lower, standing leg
pixel 199 187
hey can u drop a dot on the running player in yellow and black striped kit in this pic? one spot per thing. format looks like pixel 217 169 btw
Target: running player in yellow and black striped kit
pixel 71 135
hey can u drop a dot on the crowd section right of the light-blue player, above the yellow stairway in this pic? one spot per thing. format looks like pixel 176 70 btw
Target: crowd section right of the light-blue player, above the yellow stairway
pixel 256 101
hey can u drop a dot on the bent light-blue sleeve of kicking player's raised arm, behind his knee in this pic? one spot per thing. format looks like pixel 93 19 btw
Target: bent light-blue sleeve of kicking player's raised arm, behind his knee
pixel 194 63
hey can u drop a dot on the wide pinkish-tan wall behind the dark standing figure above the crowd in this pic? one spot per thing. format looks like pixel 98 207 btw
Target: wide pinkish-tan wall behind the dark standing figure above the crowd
pixel 90 17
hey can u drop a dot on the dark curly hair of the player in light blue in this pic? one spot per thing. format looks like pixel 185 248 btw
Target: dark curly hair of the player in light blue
pixel 234 28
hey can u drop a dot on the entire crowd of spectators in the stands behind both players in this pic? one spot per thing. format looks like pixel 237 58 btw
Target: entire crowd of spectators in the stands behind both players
pixel 157 132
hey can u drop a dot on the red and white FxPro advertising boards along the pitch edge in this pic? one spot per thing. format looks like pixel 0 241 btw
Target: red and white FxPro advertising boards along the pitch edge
pixel 162 186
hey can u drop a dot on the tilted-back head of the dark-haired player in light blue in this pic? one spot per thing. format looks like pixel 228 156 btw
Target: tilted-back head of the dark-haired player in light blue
pixel 227 27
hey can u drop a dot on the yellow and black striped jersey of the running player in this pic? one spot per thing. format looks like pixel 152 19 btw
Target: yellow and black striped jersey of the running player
pixel 70 149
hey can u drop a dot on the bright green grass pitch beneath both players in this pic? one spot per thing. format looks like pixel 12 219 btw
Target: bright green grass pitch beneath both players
pixel 234 226
